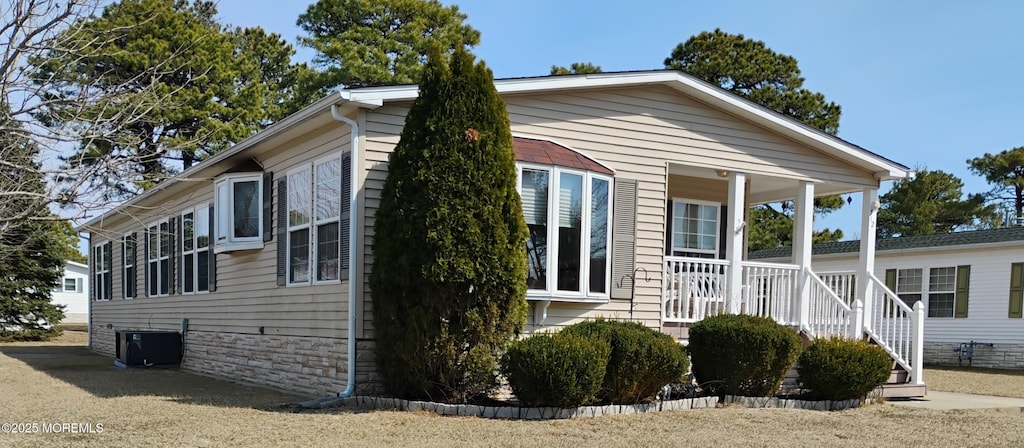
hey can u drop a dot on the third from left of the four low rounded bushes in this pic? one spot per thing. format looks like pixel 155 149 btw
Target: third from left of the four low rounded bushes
pixel 742 354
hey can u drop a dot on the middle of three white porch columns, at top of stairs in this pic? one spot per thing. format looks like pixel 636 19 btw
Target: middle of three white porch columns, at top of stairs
pixel 803 233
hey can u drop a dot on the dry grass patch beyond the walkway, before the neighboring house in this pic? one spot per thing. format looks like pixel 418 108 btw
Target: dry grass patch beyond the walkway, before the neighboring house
pixel 976 381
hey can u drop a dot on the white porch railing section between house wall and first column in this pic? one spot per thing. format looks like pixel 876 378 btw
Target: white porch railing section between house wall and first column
pixel 694 289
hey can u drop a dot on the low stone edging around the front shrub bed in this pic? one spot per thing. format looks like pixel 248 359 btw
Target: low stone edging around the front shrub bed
pixel 540 414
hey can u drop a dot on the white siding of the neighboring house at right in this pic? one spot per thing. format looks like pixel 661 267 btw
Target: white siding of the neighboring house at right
pixel 990 289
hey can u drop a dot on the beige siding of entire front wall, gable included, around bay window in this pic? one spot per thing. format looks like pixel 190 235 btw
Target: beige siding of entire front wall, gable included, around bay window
pixel 637 132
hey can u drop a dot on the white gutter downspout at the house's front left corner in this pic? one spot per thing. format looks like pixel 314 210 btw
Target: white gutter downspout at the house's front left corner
pixel 353 242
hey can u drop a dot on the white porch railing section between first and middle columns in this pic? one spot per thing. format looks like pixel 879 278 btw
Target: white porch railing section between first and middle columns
pixel 771 291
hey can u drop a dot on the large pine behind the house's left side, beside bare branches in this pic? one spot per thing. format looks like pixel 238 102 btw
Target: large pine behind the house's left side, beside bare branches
pixel 196 87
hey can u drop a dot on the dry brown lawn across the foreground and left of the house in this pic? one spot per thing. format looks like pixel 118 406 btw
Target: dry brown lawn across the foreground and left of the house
pixel 173 409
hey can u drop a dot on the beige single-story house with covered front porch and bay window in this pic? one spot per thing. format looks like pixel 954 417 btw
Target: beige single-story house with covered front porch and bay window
pixel 257 252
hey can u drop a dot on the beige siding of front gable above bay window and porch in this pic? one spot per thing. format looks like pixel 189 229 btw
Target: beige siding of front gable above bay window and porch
pixel 649 126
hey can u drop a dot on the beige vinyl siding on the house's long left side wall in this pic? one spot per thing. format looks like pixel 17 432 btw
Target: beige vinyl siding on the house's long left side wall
pixel 247 297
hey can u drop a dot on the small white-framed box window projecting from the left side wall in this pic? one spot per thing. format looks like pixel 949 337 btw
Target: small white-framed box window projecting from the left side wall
pixel 239 200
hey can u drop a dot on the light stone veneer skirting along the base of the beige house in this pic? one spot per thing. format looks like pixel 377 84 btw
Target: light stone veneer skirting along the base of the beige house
pixel 305 365
